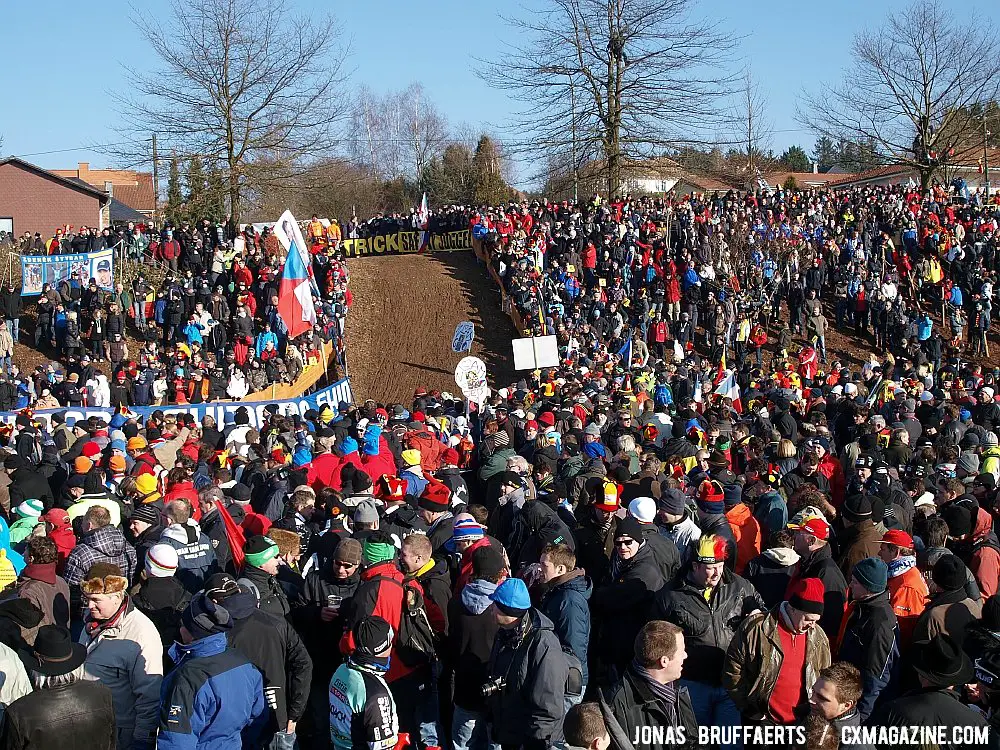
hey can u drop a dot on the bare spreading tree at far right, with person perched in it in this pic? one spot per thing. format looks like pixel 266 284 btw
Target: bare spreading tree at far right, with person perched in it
pixel 912 87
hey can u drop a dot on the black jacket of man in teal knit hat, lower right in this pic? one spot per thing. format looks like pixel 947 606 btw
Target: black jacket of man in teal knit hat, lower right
pixel 871 643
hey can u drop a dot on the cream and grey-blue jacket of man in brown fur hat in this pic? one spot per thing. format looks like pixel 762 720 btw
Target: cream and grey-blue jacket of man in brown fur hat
pixel 128 658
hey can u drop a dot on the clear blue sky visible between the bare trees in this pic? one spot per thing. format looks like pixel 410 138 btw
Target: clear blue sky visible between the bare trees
pixel 61 57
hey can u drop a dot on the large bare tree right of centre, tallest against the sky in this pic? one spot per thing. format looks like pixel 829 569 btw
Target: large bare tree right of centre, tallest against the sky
pixel 612 80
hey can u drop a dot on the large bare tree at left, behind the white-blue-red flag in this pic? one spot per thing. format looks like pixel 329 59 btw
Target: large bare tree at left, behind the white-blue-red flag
pixel 241 81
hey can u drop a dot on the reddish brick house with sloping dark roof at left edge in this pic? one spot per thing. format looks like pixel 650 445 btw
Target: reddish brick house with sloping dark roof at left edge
pixel 33 199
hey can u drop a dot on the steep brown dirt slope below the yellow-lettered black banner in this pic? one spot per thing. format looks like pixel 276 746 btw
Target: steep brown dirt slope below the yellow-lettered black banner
pixel 405 311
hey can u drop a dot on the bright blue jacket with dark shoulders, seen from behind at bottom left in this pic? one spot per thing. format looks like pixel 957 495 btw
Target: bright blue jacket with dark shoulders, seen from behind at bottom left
pixel 212 700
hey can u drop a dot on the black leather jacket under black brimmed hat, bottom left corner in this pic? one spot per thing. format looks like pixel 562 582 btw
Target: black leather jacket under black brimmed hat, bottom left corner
pixel 78 715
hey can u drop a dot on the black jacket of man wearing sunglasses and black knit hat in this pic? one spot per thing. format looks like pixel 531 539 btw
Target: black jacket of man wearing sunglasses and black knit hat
pixel 621 607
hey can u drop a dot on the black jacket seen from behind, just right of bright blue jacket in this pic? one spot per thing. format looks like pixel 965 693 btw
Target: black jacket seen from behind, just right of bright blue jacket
pixel 273 646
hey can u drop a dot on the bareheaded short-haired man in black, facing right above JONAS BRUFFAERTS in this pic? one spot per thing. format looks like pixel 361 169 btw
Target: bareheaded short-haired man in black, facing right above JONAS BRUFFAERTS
pixel 649 693
